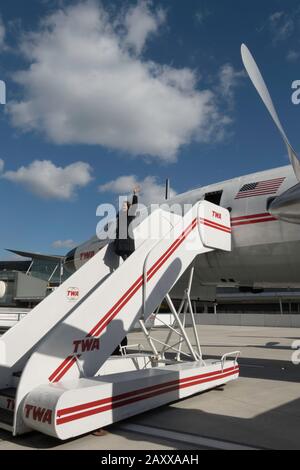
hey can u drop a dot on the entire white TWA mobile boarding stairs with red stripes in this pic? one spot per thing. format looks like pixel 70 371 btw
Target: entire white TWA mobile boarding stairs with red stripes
pixel 57 372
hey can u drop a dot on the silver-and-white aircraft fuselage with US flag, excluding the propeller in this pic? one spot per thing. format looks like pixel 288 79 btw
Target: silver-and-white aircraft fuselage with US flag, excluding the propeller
pixel 265 250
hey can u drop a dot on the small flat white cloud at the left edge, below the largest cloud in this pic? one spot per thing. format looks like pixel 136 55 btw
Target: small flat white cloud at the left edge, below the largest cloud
pixel 49 181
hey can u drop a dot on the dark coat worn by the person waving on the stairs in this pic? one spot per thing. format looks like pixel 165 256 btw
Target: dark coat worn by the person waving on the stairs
pixel 125 244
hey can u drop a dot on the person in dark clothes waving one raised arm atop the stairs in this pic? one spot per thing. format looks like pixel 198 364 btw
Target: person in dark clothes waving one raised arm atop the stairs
pixel 124 243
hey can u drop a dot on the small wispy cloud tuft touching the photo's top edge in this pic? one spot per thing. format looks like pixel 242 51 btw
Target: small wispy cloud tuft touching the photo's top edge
pixel 140 22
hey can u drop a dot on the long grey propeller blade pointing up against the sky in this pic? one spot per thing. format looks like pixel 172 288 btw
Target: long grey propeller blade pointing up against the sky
pixel 259 83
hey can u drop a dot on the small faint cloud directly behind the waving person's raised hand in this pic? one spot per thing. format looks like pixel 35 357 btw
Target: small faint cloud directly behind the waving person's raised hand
pixel 152 192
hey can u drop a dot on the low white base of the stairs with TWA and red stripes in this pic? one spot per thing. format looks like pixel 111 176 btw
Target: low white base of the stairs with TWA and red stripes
pixel 77 407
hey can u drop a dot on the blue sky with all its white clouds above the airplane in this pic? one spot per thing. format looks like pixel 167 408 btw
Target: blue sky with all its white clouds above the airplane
pixel 105 95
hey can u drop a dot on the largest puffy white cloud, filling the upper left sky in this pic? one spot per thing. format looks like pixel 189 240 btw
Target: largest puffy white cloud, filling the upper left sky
pixel 85 85
